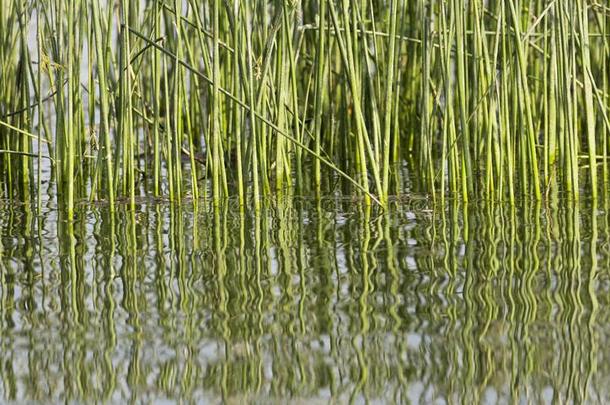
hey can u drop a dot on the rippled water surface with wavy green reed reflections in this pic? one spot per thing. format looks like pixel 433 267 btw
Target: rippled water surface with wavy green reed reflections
pixel 308 302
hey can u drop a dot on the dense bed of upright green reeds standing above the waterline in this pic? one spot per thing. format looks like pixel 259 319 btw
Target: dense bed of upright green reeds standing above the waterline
pixel 496 99
